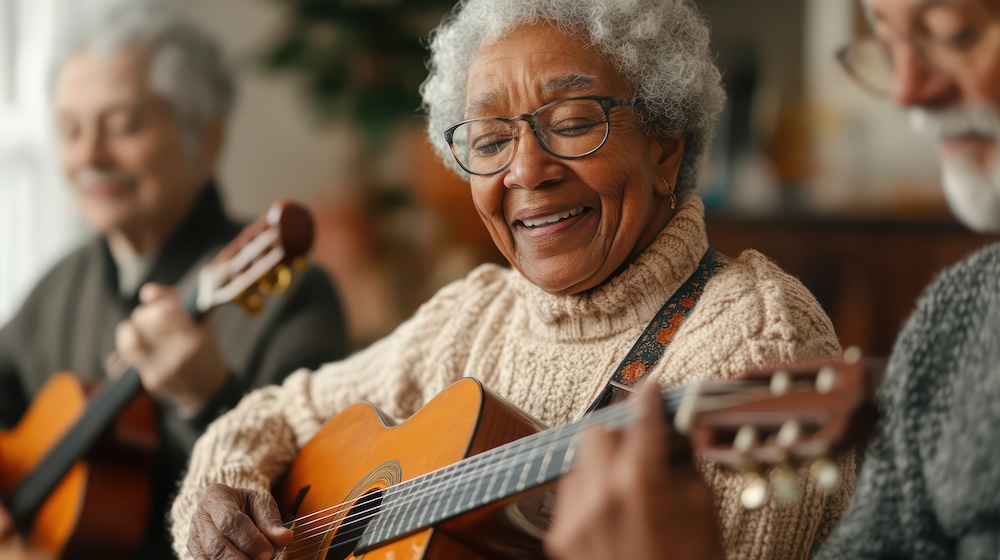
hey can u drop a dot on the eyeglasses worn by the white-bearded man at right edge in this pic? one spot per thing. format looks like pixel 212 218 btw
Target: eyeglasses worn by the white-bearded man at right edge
pixel 871 60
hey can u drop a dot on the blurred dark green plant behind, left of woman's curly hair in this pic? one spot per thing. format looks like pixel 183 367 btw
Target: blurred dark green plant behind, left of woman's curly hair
pixel 359 59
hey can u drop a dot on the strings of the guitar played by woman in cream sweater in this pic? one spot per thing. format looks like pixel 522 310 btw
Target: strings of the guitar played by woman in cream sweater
pixel 448 485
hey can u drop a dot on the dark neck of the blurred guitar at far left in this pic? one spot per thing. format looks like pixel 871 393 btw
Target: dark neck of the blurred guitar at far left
pixel 25 500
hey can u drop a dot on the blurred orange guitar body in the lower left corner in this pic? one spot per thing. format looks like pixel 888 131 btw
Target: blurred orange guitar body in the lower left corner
pixel 100 508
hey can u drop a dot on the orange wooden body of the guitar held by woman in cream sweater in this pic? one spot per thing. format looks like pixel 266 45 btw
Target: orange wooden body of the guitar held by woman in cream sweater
pixel 356 453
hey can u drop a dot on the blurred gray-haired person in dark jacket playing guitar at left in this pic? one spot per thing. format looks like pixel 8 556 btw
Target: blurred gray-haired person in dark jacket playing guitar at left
pixel 140 96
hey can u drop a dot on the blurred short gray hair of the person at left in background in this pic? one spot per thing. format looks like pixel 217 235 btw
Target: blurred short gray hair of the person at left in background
pixel 186 66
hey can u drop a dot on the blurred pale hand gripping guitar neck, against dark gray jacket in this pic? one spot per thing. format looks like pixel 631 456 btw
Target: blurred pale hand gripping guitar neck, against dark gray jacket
pixel 176 357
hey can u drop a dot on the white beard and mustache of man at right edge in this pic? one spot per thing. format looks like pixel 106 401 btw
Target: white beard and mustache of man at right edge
pixel 972 194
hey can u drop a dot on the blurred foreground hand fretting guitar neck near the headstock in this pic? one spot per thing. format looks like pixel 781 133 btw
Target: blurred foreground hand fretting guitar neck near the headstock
pixel 634 494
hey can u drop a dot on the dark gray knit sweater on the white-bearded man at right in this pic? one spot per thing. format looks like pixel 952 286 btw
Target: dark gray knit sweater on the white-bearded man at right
pixel 930 486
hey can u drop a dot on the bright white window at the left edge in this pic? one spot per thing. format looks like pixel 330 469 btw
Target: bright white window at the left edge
pixel 37 224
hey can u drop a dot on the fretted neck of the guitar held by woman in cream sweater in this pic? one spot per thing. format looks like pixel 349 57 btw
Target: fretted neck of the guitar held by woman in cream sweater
pixel 492 476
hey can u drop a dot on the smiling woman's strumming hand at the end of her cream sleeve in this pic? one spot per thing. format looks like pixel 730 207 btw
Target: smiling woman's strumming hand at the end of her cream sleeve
pixel 236 523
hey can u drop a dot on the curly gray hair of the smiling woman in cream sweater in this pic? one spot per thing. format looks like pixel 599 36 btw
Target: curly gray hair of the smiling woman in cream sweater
pixel 660 46
